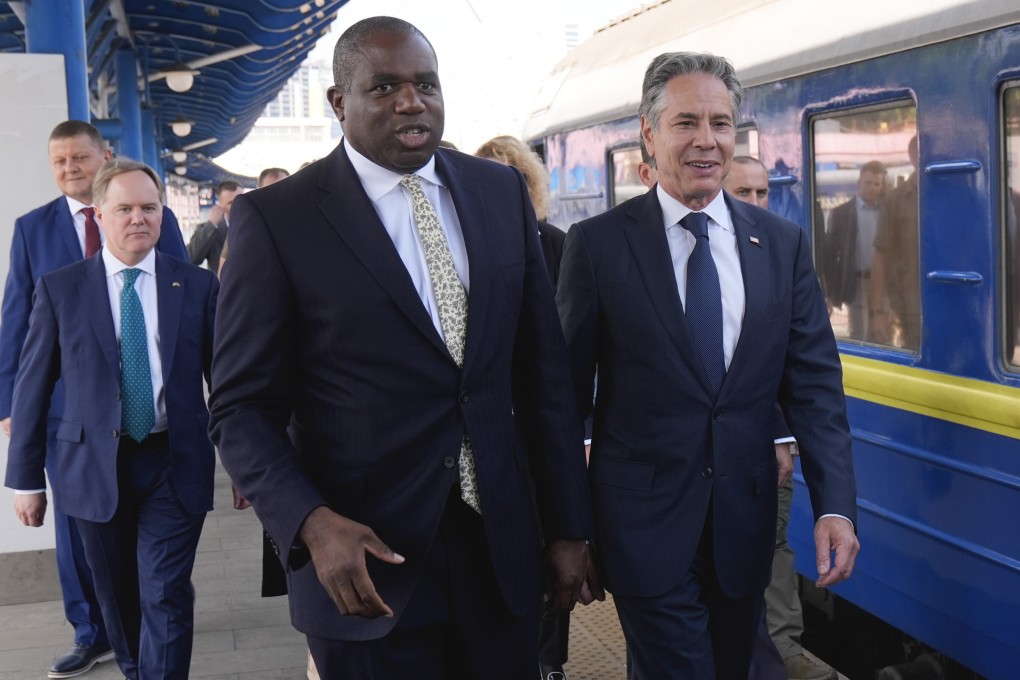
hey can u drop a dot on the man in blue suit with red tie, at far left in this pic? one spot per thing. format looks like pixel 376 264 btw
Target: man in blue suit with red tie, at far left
pixel 52 237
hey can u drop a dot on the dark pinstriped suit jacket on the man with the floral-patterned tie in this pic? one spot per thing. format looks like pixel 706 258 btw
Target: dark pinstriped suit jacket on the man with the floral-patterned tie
pixel 348 397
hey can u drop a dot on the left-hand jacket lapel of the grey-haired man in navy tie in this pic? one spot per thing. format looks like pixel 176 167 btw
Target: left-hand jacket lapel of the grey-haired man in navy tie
pixel 648 242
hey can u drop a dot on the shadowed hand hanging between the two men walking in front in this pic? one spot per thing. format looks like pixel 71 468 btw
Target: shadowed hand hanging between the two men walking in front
pixel 571 576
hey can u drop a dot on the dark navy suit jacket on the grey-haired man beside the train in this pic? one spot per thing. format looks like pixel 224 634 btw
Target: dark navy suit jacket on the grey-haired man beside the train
pixel 666 451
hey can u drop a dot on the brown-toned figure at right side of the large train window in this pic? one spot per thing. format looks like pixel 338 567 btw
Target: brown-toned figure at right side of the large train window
pixel 896 267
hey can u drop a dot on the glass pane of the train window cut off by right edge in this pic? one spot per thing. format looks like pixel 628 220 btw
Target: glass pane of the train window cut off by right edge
pixel 1011 296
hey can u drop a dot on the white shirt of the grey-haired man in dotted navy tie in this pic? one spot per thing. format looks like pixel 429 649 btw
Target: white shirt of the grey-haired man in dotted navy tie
pixel 723 242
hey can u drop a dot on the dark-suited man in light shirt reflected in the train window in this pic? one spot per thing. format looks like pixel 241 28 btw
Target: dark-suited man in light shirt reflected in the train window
pixel 850 240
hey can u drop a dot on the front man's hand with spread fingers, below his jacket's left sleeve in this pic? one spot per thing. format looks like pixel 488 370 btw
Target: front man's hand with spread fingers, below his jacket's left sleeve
pixel 338 547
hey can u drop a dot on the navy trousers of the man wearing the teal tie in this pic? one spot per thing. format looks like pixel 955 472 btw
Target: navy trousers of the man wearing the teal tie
pixel 142 562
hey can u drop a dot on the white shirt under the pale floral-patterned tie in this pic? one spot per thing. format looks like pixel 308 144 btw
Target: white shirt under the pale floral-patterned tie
pixel 393 205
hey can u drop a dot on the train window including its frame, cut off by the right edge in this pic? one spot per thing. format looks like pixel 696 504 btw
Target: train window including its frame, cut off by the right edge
pixel 1009 265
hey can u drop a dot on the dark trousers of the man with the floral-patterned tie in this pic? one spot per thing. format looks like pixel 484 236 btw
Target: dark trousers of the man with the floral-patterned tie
pixel 455 627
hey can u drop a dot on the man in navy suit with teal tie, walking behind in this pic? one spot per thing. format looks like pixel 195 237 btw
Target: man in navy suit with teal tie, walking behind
pixel 129 332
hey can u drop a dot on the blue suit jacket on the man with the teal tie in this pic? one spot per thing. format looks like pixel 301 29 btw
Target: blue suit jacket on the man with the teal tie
pixel 72 338
